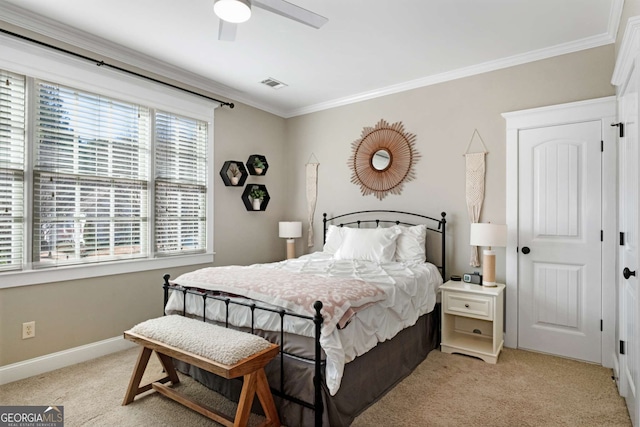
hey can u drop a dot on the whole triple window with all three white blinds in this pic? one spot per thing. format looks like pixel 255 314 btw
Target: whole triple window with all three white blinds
pixel 102 178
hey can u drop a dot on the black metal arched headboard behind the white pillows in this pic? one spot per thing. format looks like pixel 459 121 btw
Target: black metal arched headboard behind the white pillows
pixel 374 218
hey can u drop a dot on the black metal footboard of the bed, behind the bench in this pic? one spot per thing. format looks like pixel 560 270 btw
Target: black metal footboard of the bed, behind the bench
pixel 318 380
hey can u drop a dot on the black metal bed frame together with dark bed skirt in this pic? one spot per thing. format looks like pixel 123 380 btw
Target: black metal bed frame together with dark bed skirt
pixel 301 395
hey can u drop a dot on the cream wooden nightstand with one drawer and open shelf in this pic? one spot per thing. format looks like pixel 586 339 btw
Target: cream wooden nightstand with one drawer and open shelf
pixel 472 320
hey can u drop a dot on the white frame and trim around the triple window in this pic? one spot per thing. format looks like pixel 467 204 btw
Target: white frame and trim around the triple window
pixel 36 62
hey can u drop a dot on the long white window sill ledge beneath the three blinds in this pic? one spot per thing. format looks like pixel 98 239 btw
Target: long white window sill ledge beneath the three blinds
pixel 59 274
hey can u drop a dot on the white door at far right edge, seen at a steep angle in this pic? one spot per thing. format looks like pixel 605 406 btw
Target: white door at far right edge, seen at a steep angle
pixel 628 253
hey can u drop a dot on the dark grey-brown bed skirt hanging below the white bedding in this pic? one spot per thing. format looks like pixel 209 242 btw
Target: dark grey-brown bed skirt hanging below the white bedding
pixel 365 380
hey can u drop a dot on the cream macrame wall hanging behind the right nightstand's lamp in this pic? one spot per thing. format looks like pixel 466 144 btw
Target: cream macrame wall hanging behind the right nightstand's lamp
pixel 475 170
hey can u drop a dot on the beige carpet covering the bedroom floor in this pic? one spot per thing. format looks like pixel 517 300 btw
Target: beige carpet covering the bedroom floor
pixel 523 389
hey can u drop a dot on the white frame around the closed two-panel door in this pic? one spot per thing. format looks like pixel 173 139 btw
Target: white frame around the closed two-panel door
pixel 603 110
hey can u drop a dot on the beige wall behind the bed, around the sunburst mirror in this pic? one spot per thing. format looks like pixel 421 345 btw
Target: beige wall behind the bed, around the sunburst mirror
pixel 443 117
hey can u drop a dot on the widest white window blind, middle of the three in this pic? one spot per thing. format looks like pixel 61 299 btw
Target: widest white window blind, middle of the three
pixel 91 175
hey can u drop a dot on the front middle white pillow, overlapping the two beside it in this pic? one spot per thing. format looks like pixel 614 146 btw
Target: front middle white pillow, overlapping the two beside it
pixel 368 244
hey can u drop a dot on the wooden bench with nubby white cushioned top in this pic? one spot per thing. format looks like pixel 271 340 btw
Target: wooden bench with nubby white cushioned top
pixel 224 352
